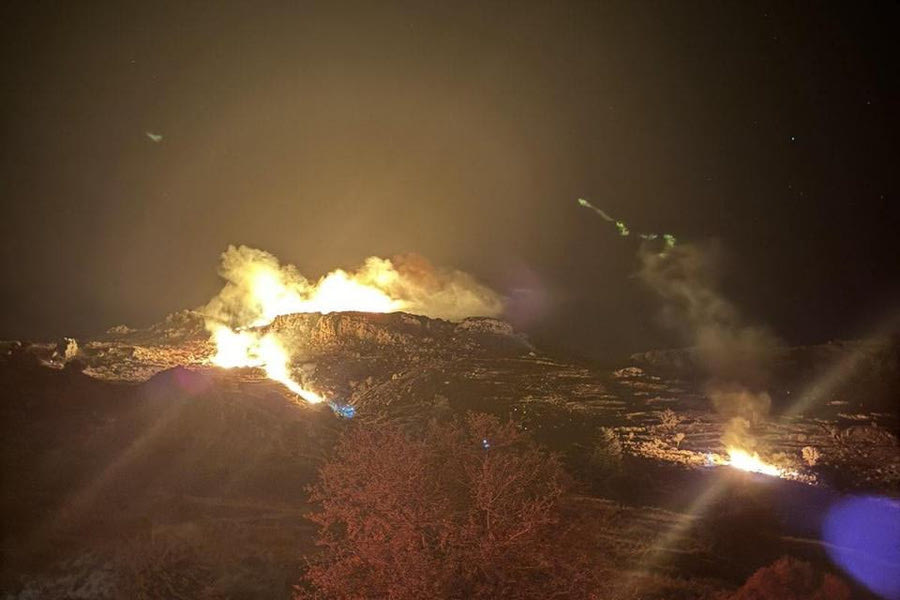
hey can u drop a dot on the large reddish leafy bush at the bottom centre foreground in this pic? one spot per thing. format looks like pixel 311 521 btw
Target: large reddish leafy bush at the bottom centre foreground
pixel 469 509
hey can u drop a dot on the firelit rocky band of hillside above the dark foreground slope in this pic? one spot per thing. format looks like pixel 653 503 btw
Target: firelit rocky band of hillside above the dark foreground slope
pixel 834 417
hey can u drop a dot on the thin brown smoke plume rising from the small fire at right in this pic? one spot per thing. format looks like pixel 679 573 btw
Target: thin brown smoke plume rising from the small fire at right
pixel 735 356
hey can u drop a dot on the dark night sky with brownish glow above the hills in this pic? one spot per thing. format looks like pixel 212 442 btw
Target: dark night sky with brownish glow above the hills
pixel 328 132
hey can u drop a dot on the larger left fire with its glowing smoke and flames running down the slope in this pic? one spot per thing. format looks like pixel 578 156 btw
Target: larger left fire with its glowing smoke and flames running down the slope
pixel 259 289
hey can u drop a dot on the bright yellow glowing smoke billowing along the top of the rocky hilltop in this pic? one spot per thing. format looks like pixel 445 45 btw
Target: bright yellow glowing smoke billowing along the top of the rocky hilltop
pixel 259 288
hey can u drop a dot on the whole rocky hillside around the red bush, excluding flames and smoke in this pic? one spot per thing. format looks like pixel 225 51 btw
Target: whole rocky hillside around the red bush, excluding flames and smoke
pixel 131 450
